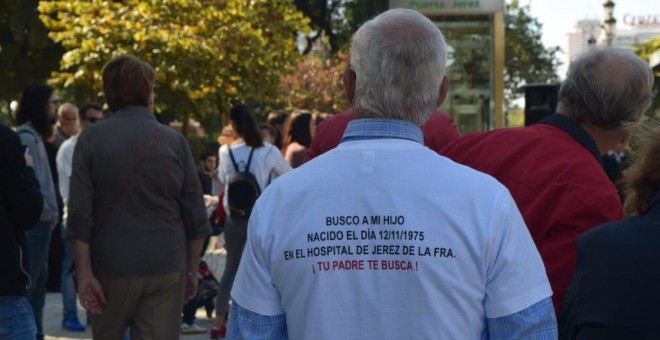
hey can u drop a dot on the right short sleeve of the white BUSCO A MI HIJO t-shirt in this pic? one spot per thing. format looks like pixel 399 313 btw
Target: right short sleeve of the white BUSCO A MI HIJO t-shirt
pixel 515 277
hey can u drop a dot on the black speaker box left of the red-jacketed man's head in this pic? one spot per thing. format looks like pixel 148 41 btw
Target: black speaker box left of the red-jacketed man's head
pixel 540 101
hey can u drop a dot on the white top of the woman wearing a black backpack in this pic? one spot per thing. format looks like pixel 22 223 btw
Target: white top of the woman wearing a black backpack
pixel 266 160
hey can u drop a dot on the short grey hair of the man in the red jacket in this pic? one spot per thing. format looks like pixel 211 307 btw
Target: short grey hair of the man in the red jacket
pixel 609 88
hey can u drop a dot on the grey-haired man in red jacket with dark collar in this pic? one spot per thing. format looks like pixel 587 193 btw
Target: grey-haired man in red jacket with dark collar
pixel 553 169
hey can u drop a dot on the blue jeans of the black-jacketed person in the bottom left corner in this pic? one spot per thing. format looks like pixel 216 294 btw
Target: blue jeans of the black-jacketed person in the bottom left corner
pixel 16 319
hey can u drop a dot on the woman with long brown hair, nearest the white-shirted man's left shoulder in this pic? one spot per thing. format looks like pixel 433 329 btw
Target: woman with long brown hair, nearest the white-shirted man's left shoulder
pixel 298 138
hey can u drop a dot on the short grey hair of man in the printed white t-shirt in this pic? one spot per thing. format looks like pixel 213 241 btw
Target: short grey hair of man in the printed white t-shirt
pixel 399 60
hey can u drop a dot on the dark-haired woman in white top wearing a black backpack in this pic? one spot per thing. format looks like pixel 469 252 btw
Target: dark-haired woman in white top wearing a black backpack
pixel 245 169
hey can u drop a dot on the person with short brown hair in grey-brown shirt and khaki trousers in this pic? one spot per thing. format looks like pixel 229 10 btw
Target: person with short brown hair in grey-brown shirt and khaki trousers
pixel 137 219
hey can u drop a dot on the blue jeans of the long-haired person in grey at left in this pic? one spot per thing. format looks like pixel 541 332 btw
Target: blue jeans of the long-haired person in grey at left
pixel 37 242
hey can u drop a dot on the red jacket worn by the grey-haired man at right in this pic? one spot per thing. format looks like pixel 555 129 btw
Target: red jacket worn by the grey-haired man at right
pixel 558 184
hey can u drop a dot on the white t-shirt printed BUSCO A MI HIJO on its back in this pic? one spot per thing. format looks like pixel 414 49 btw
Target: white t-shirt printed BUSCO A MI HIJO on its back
pixel 384 239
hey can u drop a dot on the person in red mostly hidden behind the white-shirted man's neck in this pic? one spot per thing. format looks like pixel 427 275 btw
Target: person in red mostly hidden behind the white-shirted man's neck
pixel 438 131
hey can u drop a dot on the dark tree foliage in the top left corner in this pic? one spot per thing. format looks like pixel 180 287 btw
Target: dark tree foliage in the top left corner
pixel 27 55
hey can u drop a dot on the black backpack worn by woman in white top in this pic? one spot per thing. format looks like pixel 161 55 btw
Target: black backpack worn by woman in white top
pixel 242 190
